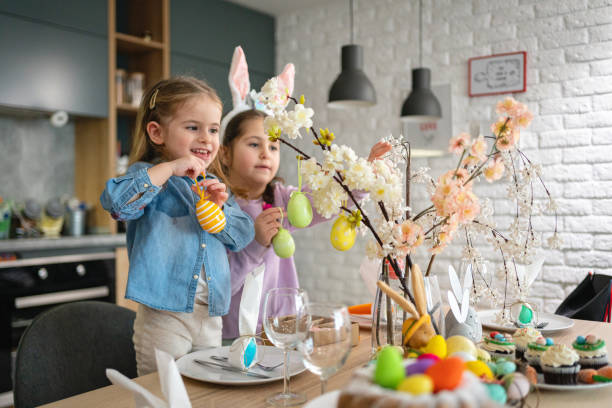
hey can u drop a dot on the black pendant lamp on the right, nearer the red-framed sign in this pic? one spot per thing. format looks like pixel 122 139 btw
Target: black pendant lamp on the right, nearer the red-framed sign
pixel 421 105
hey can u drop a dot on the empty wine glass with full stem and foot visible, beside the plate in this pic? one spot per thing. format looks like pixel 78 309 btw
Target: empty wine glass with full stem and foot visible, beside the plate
pixel 285 321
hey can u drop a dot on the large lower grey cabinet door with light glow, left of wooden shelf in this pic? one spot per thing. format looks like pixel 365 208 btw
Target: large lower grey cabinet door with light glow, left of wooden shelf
pixel 47 67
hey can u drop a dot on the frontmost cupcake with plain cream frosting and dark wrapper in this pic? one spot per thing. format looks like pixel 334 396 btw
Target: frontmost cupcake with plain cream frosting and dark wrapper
pixel 560 365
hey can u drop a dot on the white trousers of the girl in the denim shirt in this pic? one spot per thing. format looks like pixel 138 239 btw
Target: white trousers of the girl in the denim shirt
pixel 173 332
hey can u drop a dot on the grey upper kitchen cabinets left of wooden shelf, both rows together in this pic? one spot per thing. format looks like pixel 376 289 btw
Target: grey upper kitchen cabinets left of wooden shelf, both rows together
pixel 54 56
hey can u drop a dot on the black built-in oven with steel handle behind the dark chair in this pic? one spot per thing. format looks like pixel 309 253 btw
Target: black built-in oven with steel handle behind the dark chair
pixel 30 286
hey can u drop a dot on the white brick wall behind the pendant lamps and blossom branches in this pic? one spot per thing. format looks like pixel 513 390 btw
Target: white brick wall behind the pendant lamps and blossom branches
pixel 569 53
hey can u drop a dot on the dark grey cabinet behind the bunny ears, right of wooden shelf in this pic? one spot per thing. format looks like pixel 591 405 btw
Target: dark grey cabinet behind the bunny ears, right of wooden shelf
pixel 204 34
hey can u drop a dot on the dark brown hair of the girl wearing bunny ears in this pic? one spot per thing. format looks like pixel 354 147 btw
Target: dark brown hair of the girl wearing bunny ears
pixel 233 131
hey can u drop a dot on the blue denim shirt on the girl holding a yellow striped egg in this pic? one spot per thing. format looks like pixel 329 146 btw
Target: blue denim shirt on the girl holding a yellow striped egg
pixel 166 245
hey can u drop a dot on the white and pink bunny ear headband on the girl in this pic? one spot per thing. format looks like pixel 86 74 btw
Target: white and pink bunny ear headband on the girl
pixel 240 85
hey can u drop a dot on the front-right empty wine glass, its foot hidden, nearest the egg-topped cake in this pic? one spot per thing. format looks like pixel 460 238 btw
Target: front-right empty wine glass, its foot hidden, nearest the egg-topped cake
pixel 328 341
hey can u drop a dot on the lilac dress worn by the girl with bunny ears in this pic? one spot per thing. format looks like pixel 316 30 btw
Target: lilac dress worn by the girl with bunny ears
pixel 279 272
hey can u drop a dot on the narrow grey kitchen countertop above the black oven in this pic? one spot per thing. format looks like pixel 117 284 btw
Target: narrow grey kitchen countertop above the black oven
pixel 62 243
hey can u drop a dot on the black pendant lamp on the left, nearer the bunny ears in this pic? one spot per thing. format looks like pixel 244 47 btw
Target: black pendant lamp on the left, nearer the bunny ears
pixel 352 88
